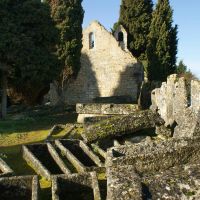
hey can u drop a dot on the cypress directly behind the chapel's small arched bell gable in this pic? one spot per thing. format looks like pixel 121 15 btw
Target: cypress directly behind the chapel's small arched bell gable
pixel 135 16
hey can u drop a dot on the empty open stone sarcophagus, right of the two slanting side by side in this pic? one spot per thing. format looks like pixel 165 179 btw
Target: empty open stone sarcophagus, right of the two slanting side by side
pixel 79 154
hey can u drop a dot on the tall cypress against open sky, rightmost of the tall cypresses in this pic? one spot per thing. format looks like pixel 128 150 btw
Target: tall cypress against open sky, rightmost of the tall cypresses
pixel 162 43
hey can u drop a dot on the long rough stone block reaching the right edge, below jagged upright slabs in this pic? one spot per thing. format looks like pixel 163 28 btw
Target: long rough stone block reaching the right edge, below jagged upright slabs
pixel 155 156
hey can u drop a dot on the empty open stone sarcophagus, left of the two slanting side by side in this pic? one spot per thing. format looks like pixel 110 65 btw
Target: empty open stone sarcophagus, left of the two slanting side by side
pixel 34 154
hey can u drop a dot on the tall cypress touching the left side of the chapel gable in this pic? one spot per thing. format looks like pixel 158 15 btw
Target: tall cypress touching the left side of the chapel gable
pixel 68 16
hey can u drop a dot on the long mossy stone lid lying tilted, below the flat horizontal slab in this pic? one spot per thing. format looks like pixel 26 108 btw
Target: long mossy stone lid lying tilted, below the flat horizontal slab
pixel 121 125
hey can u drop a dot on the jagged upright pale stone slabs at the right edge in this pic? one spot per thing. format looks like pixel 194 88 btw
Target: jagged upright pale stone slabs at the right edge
pixel 179 105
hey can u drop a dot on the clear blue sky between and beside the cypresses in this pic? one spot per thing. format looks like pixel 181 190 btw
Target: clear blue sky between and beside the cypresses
pixel 186 15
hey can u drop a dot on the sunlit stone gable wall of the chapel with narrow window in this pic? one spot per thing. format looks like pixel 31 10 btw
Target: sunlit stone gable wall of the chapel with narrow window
pixel 106 69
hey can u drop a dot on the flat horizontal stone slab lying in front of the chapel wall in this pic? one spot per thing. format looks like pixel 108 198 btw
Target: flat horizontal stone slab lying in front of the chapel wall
pixel 106 109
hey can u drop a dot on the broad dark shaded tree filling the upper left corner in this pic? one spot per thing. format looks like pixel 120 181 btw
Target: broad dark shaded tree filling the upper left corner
pixel 27 38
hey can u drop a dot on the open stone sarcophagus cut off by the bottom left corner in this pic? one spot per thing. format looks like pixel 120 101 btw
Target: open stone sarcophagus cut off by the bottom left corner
pixel 19 187
